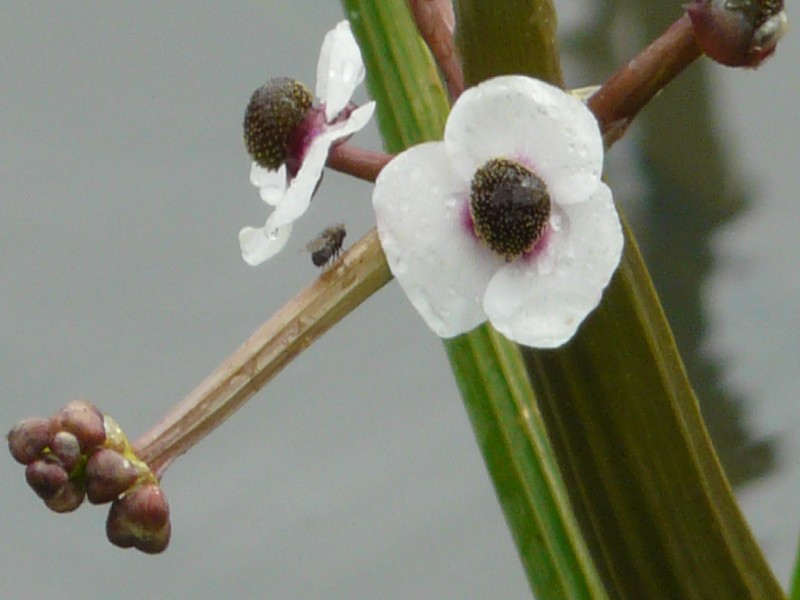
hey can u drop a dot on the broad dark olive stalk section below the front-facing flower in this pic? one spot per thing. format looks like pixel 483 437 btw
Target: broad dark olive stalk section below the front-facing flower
pixel 651 495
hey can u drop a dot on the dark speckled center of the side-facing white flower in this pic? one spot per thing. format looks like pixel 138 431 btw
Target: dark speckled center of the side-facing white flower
pixel 274 113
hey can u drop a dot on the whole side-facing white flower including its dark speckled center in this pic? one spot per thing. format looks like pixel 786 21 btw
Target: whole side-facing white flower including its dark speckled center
pixel 289 139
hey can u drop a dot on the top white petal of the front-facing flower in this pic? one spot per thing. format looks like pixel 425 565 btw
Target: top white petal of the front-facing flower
pixel 530 121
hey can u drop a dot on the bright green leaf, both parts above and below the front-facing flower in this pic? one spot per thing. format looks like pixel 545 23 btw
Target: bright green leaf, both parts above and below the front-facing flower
pixel 489 369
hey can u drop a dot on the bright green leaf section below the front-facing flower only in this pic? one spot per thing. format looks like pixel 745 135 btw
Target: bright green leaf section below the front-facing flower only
pixel 512 437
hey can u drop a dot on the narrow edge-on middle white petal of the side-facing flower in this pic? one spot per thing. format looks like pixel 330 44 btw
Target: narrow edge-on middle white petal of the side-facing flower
pixel 297 198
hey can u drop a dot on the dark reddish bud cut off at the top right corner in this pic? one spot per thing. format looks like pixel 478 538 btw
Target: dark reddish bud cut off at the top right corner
pixel 738 33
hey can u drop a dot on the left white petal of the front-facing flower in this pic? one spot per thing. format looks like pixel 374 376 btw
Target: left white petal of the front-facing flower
pixel 419 205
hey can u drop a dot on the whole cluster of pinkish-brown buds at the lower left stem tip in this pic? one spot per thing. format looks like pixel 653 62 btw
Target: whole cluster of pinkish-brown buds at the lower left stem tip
pixel 80 453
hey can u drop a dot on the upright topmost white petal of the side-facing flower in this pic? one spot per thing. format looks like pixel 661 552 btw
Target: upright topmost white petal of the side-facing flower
pixel 340 69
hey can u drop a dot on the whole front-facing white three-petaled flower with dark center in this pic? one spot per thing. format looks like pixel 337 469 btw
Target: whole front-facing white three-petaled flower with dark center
pixel 537 285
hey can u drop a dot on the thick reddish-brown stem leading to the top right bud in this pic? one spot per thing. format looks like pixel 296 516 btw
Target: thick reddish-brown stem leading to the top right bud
pixel 620 98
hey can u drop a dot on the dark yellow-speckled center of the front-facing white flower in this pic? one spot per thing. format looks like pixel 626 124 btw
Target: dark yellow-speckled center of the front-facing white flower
pixel 509 206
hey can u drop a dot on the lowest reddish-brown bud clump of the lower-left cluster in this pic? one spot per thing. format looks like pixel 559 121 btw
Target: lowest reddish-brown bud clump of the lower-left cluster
pixel 140 519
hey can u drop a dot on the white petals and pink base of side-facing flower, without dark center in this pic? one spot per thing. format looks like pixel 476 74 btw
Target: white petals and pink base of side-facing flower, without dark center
pixel 289 188
